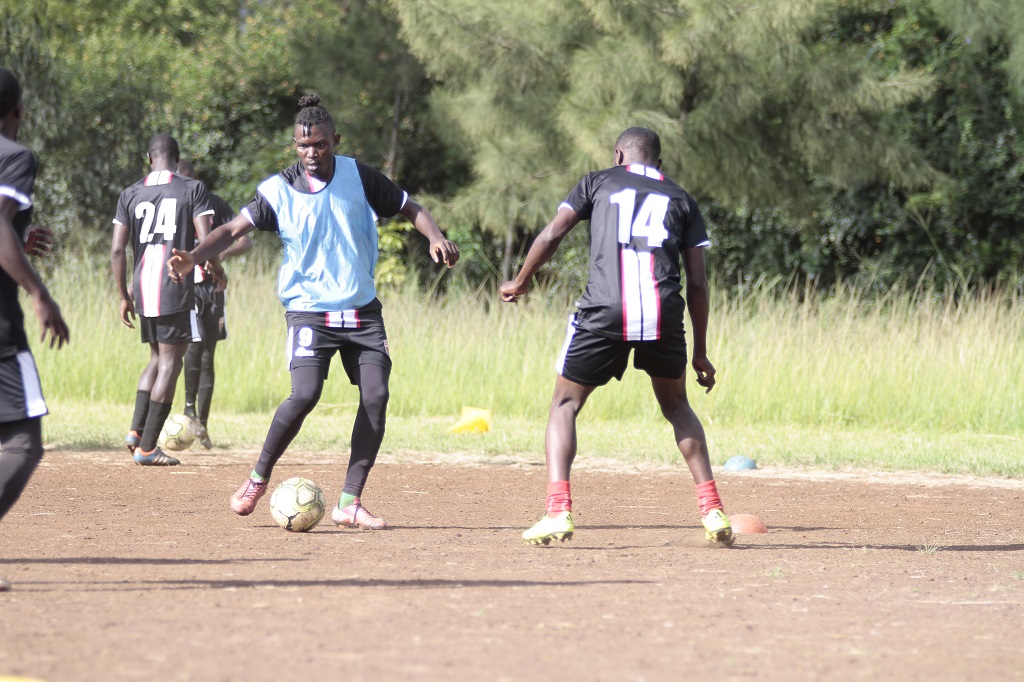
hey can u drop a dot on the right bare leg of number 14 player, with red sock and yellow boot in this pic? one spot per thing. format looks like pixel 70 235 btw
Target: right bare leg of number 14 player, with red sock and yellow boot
pixel 693 444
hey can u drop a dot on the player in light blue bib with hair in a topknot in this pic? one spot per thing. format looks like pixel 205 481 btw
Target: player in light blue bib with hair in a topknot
pixel 325 208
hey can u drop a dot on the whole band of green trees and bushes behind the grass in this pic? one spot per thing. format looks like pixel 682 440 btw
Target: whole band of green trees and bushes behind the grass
pixel 825 140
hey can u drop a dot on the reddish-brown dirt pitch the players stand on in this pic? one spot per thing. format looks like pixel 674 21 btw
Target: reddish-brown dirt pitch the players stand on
pixel 123 573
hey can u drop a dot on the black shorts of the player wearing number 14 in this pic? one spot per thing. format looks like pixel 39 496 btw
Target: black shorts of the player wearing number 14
pixel 593 361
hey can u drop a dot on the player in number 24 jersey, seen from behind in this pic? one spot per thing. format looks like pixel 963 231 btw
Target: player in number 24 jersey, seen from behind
pixel 161 212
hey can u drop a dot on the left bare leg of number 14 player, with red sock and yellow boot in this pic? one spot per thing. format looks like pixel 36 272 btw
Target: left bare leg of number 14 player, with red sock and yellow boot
pixel 561 450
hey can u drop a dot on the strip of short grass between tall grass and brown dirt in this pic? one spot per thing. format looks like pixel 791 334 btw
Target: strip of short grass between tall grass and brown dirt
pixel 86 425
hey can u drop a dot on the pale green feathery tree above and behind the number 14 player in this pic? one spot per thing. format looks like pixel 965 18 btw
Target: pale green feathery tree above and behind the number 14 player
pixel 762 108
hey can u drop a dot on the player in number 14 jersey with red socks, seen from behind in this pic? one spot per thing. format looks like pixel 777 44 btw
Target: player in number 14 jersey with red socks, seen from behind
pixel 643 226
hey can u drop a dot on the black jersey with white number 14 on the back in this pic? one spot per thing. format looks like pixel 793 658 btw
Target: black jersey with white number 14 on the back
pixel 641 222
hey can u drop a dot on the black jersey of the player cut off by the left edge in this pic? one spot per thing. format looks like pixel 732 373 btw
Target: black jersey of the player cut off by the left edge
pixel 18 176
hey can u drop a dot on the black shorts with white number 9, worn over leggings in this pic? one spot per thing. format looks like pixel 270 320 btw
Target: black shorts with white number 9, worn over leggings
pixel 315 337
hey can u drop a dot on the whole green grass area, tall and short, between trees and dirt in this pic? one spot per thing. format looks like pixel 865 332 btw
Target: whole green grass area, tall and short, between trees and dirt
pixel 911 380
